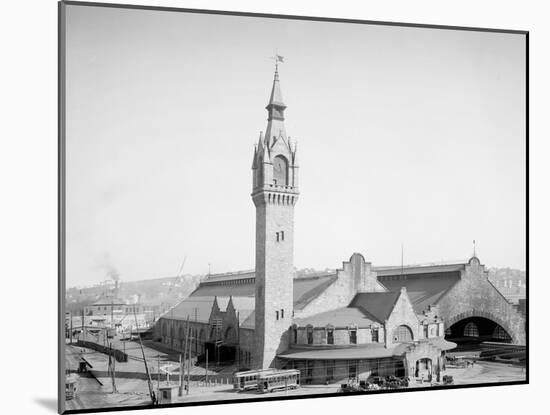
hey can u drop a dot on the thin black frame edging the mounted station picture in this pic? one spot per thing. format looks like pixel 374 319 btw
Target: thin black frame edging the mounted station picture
pixel 62 182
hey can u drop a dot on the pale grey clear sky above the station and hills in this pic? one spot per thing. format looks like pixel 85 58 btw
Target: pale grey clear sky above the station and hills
pixel 405 136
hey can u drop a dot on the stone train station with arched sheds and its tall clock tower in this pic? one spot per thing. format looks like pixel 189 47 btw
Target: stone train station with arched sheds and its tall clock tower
pixel 355 322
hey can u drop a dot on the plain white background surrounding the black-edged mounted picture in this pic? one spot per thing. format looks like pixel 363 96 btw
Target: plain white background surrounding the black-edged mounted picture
pixel 29 204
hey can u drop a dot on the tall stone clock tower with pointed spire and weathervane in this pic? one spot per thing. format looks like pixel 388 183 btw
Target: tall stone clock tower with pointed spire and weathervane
pixel 274 192
